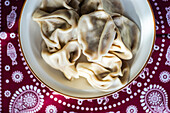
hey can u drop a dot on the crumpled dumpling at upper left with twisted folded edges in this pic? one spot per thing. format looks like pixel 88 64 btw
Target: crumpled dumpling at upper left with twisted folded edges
pixel 57 28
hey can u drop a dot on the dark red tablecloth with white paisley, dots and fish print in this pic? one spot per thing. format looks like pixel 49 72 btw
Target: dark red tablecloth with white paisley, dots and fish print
pixel 21 92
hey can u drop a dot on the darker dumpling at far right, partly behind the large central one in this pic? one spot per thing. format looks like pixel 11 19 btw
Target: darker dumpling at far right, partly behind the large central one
pixel 129 31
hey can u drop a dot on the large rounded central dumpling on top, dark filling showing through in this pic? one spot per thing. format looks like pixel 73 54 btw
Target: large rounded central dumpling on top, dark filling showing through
pixel 96 33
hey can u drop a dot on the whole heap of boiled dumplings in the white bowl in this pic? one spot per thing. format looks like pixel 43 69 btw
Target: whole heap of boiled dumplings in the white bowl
pixel 88 38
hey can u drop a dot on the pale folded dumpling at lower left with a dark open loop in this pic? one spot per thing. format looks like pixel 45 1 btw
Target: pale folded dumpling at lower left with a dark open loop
pixel 64 59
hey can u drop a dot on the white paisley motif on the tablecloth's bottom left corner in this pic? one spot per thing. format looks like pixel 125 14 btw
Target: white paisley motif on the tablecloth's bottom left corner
pixel 27 99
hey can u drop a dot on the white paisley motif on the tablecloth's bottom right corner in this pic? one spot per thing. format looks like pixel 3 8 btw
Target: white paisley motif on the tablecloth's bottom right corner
pixel 154 99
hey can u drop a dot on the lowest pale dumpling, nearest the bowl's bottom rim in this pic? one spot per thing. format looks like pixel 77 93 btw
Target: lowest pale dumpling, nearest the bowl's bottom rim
pixel 95 74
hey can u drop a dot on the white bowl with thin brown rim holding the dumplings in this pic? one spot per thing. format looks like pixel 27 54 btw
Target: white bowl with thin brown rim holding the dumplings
pixel 30 39
